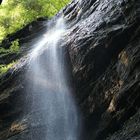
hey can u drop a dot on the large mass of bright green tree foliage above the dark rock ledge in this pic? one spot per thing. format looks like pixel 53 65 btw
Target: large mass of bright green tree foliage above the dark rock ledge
pixel 15 14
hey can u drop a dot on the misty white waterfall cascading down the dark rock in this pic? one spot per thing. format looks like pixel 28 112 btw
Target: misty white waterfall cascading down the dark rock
pixel 49 87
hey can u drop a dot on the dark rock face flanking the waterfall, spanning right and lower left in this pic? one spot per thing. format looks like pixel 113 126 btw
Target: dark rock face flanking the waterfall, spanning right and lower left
pixel 103 48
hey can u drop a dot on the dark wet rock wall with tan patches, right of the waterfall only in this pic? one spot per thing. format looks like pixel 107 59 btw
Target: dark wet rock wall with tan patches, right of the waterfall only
pixel 104 52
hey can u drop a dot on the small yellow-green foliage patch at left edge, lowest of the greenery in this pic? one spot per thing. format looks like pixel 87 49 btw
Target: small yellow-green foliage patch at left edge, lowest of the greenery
pixel 5 68
